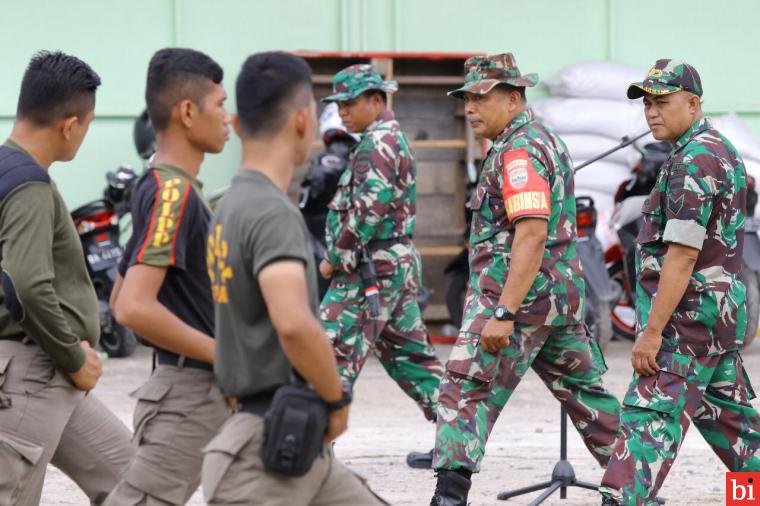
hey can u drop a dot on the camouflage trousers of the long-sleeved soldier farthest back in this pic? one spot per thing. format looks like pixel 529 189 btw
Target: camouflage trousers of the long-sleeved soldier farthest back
pixel 398 337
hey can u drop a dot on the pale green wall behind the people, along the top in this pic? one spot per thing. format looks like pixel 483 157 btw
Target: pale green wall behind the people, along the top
pixel 117 37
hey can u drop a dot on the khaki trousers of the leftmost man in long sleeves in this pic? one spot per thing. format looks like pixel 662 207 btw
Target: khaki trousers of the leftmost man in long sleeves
pixel 45 419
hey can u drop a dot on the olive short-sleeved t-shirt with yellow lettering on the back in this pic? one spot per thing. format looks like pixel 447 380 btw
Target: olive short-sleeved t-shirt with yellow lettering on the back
pixel 254 226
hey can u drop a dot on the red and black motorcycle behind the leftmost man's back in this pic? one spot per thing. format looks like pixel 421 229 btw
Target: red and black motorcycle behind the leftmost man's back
pixel 97 223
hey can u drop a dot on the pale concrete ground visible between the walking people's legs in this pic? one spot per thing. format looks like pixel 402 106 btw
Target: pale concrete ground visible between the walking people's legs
pixel 523 448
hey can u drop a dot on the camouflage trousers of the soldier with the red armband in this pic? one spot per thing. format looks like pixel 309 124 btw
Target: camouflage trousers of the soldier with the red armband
pixel 478 385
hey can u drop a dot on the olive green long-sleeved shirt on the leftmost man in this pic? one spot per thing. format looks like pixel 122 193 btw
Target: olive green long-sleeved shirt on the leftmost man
pixel 47 292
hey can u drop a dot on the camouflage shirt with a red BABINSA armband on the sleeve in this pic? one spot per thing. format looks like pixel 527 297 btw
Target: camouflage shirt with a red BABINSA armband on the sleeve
pixel 527 173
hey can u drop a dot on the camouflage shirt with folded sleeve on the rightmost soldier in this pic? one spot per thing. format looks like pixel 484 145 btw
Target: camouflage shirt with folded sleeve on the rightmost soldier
pixel 699 201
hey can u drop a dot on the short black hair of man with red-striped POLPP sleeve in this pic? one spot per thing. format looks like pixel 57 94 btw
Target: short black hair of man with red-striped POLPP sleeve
pixel 176 74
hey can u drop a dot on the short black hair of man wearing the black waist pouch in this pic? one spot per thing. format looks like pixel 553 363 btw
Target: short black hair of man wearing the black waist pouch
pixel 265 89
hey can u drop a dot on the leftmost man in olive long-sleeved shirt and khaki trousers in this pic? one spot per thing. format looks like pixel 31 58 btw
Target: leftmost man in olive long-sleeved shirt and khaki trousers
pixel 49 320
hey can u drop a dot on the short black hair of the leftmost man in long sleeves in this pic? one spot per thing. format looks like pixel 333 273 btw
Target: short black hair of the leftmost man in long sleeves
pixel 56 86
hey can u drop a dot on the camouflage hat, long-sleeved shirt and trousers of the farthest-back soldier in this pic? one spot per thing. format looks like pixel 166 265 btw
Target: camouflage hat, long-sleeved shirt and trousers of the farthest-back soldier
pixel 375 201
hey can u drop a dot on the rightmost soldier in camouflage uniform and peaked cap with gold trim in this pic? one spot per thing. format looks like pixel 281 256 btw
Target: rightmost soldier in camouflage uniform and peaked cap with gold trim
pixel 686 358
